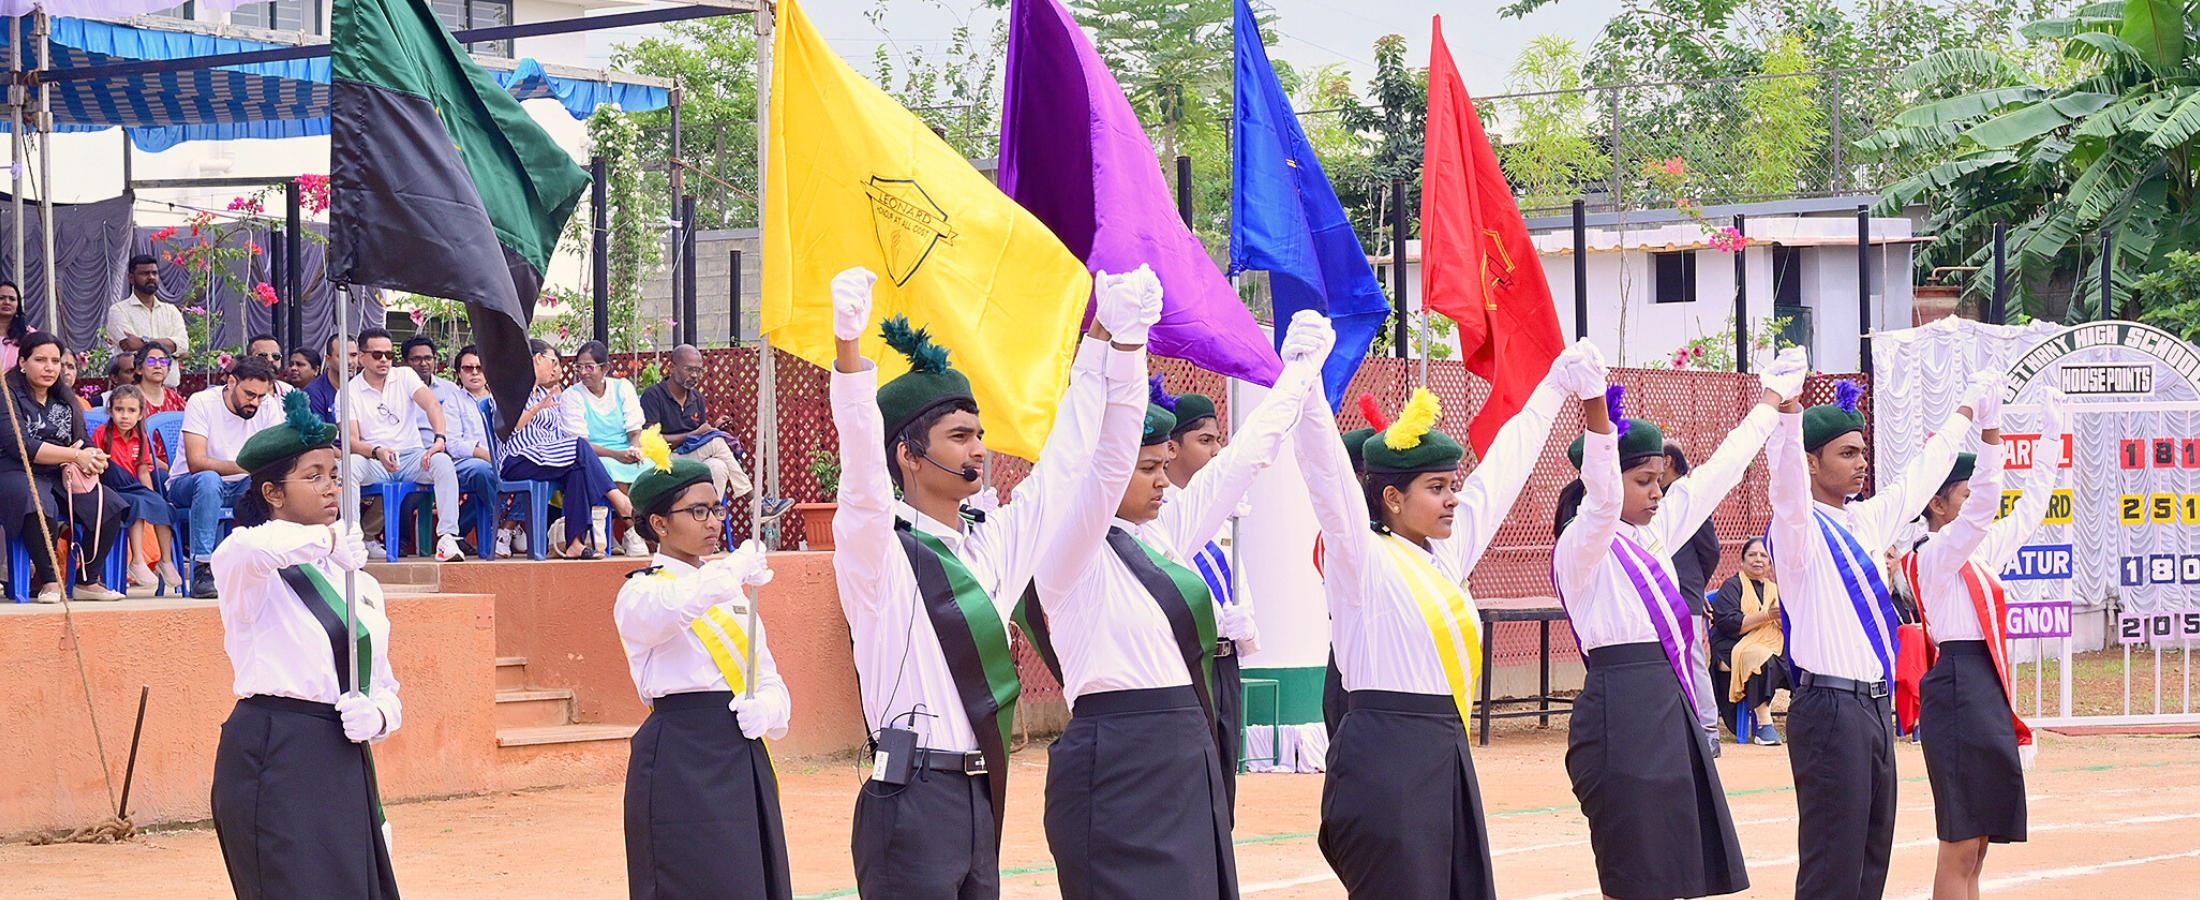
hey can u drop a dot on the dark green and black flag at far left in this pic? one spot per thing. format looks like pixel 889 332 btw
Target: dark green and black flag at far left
pixel 441 184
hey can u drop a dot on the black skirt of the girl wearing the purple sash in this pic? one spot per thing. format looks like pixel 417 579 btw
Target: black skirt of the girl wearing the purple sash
pixel 1642 769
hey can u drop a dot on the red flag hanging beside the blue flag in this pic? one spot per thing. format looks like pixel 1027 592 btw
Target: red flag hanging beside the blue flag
pixel 1477 261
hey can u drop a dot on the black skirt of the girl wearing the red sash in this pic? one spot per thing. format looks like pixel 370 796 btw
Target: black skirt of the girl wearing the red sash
pixel 1970 747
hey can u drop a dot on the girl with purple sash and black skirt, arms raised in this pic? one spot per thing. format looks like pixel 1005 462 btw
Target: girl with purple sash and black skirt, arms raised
pixel 1638 756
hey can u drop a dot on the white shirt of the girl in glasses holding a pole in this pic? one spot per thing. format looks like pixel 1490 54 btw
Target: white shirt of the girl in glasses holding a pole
pixel 665 657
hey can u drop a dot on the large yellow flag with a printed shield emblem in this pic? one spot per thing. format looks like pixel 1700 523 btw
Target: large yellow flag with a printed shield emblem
pixel 855 179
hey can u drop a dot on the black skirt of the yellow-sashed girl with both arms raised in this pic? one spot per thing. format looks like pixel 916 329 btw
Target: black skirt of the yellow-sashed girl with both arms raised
pixel 1402 813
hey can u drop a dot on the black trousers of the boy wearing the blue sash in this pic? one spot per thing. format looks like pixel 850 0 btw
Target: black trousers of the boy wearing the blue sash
pixel 1842 754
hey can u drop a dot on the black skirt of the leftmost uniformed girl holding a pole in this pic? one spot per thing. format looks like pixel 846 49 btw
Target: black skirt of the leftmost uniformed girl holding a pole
pixel 294 806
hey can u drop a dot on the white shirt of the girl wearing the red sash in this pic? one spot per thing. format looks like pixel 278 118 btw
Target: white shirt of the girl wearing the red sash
pixel 1974 538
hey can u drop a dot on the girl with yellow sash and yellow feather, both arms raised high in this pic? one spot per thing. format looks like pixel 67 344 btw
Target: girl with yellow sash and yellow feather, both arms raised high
pixel 1402 813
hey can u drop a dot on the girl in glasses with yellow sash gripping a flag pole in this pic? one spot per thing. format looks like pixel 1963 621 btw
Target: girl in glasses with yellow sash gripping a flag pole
pixel 703 800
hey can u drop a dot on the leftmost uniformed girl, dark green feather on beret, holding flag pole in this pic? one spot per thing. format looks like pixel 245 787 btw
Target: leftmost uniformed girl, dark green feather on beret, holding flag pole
pixel 294 782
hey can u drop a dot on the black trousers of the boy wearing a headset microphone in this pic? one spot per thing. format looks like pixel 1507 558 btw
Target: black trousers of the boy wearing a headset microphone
pixel 929 839
